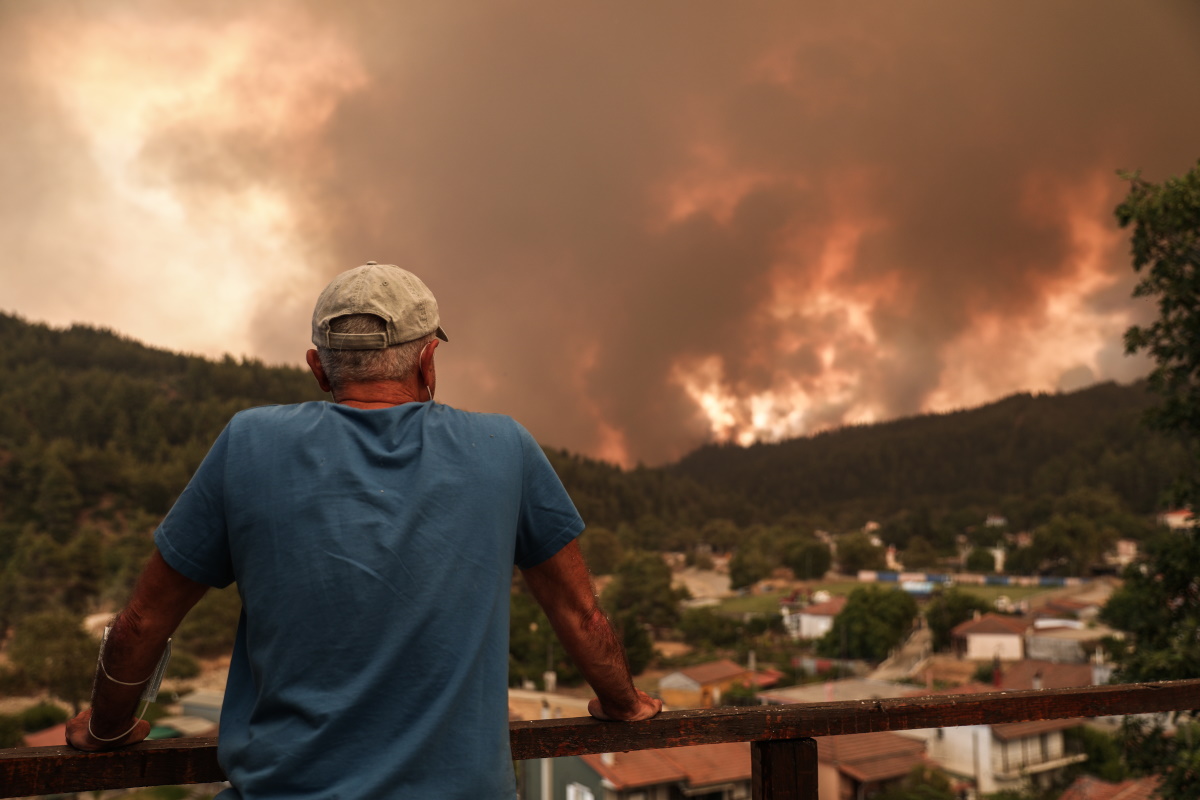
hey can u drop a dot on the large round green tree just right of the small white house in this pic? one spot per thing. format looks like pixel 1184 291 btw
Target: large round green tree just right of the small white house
pixel 874 621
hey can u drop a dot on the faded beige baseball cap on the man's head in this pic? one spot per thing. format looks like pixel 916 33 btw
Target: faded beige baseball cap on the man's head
pixel 395 296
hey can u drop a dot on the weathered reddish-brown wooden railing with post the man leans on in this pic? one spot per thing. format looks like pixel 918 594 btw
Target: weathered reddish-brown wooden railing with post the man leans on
pixel 783 751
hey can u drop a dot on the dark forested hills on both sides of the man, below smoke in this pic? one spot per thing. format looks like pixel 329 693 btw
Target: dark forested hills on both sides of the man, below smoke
pixel 100 434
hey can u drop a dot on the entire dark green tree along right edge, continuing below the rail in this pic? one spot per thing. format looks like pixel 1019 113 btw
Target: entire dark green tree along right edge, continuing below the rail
pixel 1160 603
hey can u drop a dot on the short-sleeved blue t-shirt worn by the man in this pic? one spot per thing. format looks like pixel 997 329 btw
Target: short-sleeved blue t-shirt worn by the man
pixel 374 554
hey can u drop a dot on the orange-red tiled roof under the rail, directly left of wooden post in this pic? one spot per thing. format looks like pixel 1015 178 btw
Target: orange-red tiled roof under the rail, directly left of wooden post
pixel 698 767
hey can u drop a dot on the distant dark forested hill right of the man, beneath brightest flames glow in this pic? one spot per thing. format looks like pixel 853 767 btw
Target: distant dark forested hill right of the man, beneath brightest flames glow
pixel 1010 458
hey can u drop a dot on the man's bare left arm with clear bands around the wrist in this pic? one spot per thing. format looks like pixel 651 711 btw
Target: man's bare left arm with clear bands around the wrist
pixel 136 642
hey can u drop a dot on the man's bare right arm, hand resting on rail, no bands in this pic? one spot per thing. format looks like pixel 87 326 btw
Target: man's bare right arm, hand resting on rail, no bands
pixel 563 588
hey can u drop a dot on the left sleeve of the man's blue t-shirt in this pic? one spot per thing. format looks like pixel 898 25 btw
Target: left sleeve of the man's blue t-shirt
pixel 194 538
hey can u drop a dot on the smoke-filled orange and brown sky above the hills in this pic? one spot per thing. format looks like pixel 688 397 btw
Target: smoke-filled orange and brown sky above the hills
pixel 649 225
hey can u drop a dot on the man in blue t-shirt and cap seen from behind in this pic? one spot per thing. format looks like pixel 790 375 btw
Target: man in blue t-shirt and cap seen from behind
pixel 373 542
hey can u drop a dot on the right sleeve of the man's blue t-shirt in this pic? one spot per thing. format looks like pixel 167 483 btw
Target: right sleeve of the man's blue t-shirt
pixel 548 519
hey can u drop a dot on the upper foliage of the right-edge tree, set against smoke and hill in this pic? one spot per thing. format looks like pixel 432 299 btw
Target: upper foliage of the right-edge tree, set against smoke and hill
pixel 1166 243
